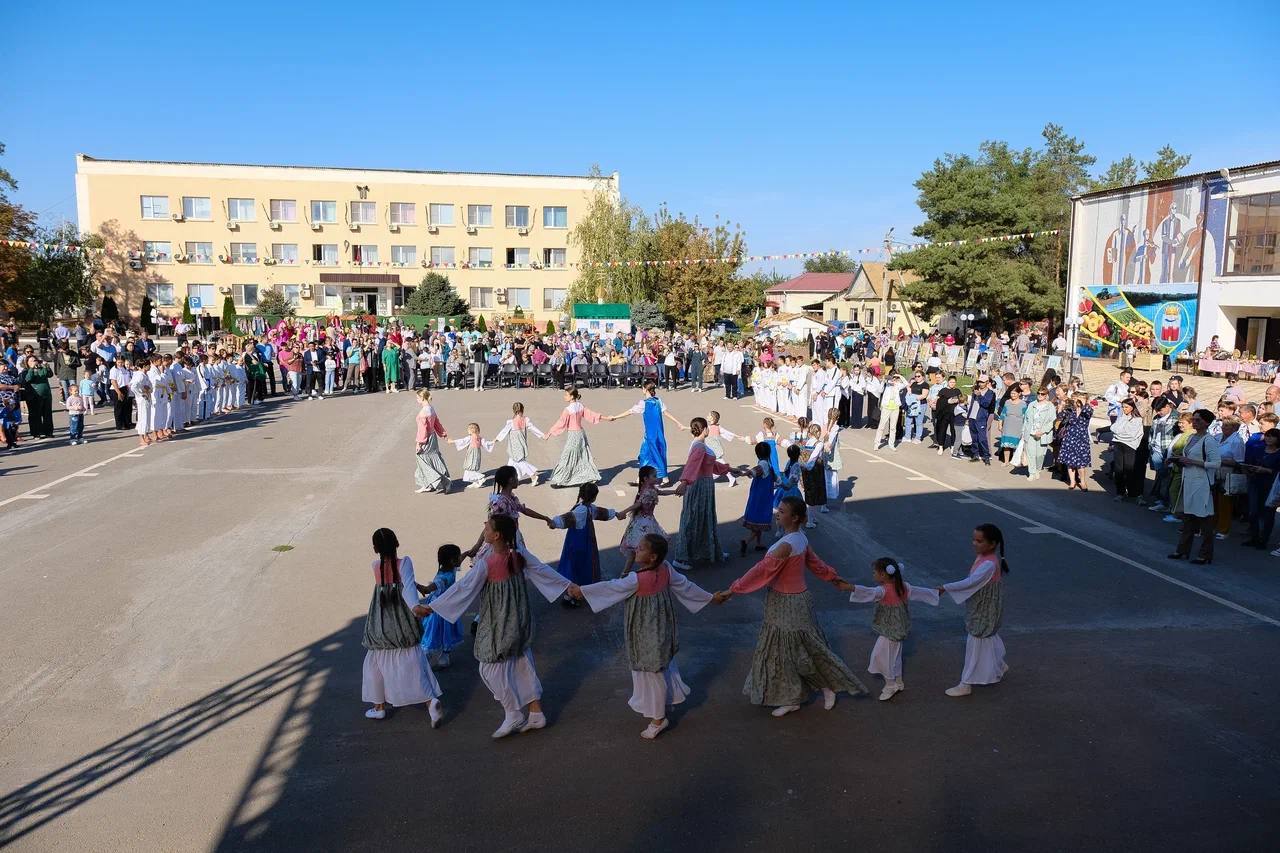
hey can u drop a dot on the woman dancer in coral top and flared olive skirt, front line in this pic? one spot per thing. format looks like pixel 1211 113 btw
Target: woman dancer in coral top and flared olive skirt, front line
pixel 793 659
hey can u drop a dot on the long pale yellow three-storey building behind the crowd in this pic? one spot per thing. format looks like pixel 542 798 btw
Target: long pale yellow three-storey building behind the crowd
pixel 332 240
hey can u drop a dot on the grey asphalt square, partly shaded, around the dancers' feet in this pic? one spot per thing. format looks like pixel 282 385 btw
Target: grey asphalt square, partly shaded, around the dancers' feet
pixel 182 662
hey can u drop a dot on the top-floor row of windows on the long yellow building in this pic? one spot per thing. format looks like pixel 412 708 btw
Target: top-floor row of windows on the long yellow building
pixel 359 213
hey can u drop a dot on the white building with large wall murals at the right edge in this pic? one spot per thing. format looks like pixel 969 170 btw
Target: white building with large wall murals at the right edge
pixel 1176 263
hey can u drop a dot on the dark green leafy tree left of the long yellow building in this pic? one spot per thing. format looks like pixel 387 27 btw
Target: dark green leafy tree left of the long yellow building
pixel 57 281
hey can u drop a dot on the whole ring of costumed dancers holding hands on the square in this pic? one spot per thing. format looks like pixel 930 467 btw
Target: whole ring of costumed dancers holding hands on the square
pixel 410 623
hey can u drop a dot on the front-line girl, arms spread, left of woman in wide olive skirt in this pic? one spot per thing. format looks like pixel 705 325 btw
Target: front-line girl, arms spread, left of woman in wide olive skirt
pixel 651 594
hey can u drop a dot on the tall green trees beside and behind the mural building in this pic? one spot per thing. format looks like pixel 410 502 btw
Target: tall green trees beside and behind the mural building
pixel 1003 190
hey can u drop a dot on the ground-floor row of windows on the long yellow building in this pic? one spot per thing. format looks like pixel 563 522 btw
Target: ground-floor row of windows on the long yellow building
pixel 205 297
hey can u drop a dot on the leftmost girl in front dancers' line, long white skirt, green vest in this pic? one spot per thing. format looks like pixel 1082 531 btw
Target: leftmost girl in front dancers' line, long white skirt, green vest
pixel 397 670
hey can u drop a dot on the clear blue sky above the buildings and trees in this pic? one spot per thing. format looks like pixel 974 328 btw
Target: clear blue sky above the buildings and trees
pixel 804 124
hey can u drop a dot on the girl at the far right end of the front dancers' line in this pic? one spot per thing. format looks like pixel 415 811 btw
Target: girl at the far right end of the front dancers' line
pixel 984 596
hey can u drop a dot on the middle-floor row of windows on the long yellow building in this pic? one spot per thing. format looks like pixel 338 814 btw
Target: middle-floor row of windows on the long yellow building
pixel 161 252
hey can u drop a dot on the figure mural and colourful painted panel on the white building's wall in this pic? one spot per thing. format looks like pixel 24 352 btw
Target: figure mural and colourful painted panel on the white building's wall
pixel 1139 264
